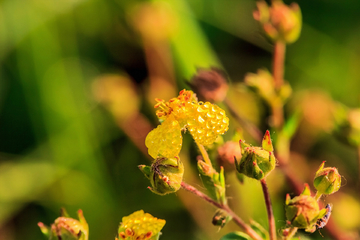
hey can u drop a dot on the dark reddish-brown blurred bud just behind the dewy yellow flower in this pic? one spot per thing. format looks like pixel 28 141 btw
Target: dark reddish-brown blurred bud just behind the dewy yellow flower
pixel 210 84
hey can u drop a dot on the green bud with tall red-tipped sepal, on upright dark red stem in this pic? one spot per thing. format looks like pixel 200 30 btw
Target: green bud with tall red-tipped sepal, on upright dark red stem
pixel 256 162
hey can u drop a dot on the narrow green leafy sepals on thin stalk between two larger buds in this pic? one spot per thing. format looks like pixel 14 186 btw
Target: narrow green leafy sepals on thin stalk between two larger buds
pixel 213 181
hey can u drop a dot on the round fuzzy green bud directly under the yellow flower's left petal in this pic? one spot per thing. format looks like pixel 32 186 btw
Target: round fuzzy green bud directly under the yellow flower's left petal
pixel 165 175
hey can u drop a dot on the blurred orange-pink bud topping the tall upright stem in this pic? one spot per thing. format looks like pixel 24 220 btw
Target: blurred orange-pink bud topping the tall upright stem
pixel 280 22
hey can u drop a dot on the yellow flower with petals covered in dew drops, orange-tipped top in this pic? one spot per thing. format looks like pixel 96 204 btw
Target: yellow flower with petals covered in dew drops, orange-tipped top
pixel 205 122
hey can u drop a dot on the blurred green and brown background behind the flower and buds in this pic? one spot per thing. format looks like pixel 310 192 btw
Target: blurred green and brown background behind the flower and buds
pixel 78 79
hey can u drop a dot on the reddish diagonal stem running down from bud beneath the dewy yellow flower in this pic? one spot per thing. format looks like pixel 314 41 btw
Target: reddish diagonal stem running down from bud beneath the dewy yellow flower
pixel 235 217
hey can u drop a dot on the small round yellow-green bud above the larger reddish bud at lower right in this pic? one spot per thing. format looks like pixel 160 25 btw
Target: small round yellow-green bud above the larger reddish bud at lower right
pixel 327 180
